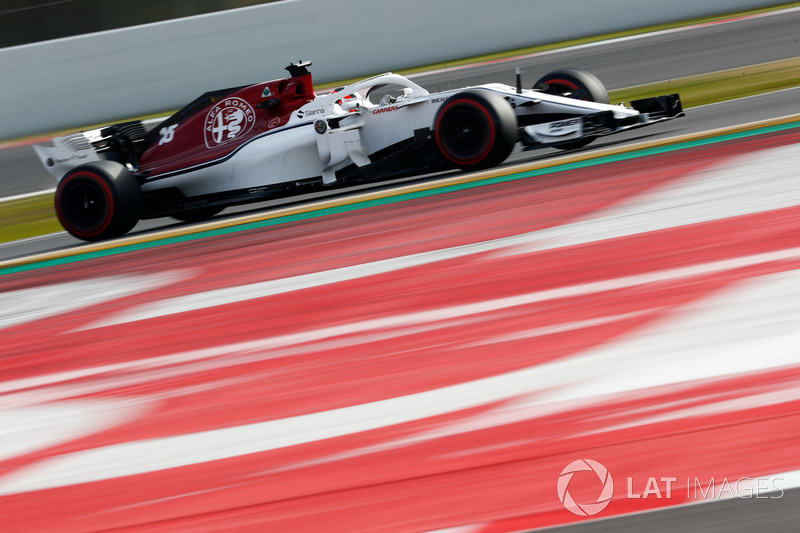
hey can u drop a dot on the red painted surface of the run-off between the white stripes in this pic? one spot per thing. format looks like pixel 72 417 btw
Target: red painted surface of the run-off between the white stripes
pixel 395 478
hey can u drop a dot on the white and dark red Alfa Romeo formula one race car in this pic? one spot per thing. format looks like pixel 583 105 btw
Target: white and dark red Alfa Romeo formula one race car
pixel 278 138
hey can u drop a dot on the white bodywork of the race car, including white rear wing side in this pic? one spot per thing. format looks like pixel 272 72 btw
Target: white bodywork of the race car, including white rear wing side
pixel 308 147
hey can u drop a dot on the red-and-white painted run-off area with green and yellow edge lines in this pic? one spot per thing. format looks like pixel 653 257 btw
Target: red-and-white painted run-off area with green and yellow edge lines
pixel 422 358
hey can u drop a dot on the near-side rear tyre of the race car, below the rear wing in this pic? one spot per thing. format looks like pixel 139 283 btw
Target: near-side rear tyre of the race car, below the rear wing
pixel 99 200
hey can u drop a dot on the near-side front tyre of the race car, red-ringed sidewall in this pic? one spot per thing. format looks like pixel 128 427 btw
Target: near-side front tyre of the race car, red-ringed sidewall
pixel 475 130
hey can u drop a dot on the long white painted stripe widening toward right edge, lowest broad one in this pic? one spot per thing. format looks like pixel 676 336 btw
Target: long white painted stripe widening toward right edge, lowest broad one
pixel 719 337
